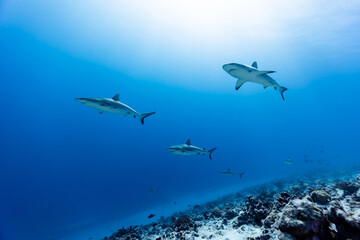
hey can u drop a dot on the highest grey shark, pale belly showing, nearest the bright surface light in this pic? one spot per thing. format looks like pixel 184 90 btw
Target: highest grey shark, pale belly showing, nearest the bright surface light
pixel 245 73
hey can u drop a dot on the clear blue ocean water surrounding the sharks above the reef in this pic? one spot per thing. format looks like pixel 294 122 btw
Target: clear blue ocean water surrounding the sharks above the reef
pixel 65 167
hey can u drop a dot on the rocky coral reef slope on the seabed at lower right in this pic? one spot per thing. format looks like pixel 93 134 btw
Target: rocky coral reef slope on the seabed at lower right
pixel 286 210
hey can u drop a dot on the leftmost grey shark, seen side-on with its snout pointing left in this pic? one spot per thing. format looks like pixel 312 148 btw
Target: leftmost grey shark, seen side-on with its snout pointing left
pixel 112 105
